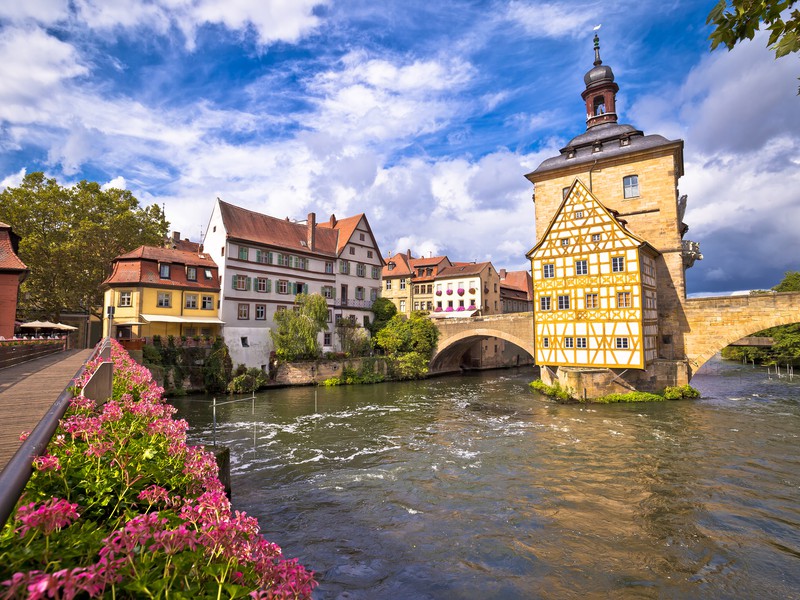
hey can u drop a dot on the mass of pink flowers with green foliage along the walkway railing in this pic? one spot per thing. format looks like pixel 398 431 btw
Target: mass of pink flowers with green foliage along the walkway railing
pixel 122 507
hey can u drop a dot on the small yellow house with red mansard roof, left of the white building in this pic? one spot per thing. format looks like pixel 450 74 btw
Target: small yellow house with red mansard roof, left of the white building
pixel 161 291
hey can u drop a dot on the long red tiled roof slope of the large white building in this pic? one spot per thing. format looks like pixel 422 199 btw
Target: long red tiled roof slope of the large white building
pixel 251 226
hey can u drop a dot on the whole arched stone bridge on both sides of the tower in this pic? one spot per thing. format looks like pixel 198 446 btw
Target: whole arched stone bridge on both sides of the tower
pixel 709 324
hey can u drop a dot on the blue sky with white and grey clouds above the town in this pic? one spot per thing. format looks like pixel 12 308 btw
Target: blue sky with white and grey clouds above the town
pixel 423 115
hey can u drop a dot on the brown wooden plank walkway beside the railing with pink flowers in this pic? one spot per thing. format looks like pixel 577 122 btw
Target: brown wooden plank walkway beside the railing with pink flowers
pixel 28 390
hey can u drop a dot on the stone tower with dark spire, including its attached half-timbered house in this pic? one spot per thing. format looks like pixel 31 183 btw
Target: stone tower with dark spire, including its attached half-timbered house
pixel 628 182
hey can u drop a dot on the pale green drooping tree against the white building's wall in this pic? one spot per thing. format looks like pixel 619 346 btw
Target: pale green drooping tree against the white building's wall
pixel 295 338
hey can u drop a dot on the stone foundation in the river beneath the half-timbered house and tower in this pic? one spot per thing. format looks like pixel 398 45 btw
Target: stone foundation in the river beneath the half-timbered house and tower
pixel 588 382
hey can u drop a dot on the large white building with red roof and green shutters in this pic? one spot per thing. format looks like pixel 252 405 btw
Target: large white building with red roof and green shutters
pixel 264 262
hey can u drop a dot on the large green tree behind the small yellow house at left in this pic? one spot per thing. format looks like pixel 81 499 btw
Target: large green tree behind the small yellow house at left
pixel 70 235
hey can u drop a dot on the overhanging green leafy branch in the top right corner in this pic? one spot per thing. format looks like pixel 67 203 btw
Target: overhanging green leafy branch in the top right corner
pixel 745 18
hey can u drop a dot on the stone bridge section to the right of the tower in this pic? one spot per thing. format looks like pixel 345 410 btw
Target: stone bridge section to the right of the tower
pixel 715 323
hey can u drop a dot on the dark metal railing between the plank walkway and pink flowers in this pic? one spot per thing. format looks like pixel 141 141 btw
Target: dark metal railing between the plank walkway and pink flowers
pixel 17 472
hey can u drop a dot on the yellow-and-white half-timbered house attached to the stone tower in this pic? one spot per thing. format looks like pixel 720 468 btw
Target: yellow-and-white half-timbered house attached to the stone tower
pixel 587 251
